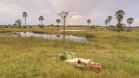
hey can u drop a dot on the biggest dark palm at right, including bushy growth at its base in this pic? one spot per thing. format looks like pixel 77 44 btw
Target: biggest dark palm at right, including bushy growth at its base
pixel 119 16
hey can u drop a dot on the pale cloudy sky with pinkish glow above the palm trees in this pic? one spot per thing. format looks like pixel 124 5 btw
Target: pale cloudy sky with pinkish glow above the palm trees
pixel 80 10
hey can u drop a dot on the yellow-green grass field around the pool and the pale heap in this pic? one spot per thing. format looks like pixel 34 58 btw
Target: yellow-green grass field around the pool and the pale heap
pixel 117 52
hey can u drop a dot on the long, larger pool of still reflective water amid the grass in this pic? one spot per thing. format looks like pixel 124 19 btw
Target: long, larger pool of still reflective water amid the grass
pixel 53 36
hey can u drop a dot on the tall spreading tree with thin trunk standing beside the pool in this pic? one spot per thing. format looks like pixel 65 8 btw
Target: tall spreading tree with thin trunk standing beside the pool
pixel 64 16
